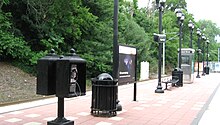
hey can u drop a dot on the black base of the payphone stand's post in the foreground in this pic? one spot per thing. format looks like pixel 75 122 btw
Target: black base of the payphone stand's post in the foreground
pixel 60 121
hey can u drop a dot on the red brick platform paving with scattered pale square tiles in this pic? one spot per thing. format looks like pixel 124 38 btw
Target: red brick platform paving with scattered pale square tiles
pixel 177 106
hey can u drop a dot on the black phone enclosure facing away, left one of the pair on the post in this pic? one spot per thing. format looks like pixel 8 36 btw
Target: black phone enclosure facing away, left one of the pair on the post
pixel 46 74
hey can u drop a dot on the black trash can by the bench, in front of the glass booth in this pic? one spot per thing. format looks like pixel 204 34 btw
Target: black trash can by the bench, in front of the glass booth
pixel 178 73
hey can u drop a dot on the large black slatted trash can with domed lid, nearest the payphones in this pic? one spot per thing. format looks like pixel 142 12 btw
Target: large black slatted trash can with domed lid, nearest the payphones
pixel 104 95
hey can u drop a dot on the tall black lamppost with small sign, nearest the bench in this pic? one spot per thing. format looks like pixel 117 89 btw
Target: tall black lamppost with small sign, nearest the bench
pixel 160 6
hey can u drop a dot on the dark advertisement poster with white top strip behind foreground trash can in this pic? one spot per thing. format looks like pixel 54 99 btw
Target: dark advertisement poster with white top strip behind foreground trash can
pixel 127 64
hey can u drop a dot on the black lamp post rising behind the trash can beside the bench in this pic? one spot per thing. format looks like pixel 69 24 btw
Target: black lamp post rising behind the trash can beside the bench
pixel 180 16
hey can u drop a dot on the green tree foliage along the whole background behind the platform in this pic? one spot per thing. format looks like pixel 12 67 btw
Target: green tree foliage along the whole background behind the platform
pixel 30 28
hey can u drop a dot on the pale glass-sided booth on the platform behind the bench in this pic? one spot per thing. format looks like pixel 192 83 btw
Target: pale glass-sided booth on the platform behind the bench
pixel 187 64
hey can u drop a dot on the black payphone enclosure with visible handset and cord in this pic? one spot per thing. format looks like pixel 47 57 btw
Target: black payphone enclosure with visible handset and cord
pixel 71 76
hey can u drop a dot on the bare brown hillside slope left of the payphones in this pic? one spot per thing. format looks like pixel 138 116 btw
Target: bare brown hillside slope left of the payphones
pixel 15 85
